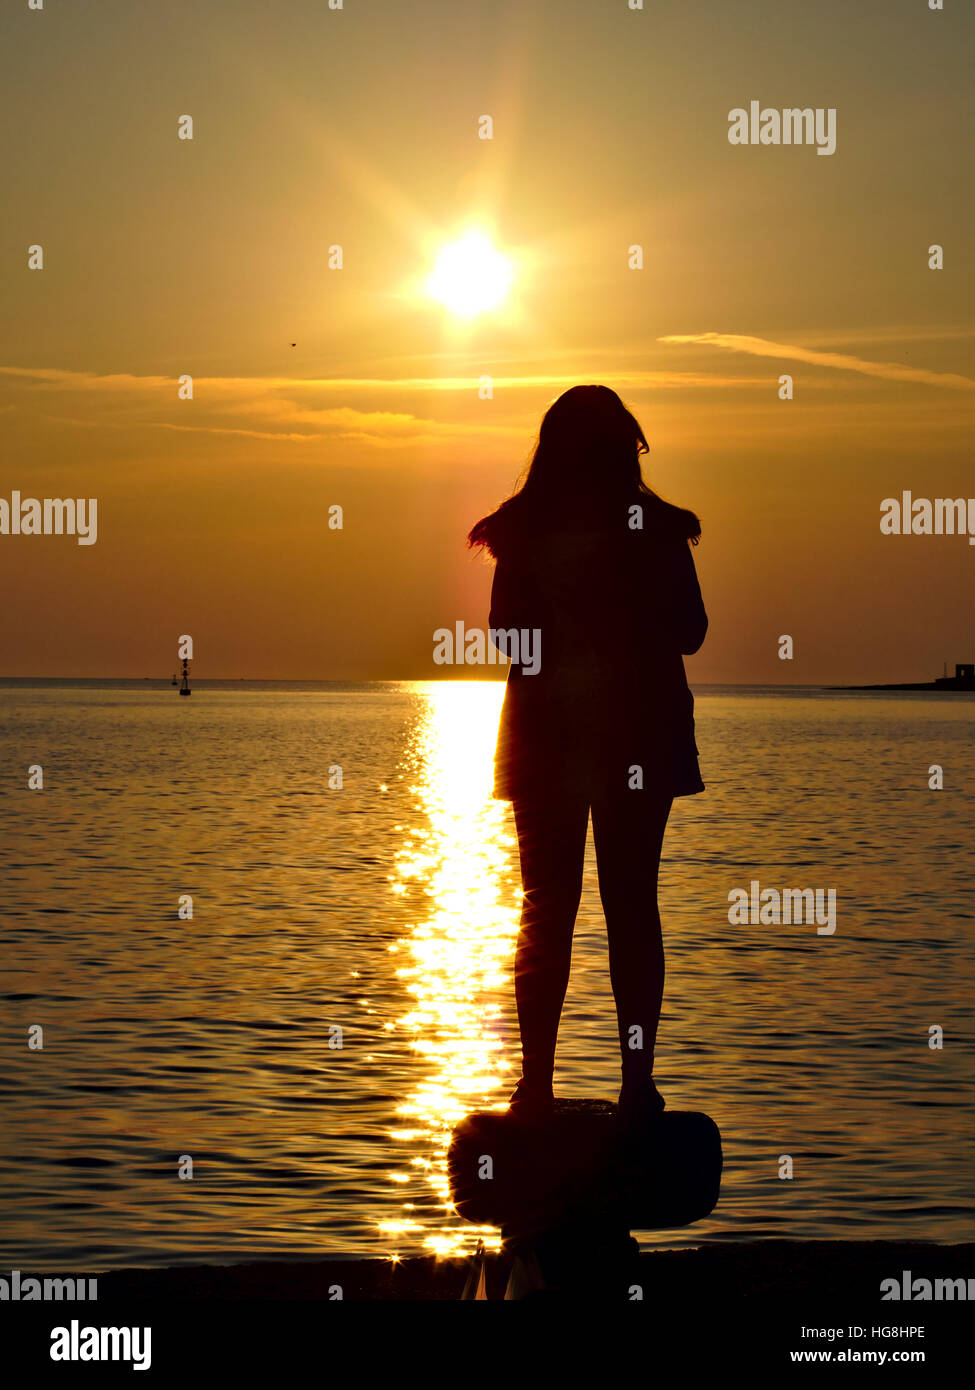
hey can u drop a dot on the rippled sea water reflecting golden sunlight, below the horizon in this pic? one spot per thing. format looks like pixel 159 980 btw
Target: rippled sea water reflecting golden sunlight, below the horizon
pixel 343 992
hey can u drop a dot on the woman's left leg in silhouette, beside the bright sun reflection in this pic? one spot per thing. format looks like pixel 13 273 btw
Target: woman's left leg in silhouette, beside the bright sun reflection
pixel 551 842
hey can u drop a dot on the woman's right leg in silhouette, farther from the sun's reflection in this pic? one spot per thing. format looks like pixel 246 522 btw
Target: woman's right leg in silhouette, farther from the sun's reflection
pixel 628 829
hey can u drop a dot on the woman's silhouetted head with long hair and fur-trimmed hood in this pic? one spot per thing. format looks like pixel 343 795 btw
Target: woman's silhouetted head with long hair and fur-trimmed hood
pixel 586 466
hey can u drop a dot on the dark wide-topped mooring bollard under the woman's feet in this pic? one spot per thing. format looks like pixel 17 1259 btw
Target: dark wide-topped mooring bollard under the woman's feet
pixel 567 1193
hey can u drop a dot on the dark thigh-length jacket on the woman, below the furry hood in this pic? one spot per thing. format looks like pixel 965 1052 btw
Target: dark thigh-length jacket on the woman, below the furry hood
pixel 615 611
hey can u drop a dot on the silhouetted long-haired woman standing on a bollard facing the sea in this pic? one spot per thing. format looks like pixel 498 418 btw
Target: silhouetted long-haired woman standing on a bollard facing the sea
pixel 600 569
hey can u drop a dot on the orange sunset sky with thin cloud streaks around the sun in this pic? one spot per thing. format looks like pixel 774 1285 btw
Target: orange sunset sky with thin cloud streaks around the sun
pixel 360 127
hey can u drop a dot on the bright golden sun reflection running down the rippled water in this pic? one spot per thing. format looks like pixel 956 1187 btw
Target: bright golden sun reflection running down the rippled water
pixel 458 958
